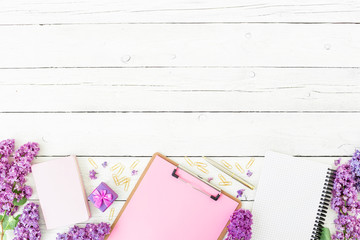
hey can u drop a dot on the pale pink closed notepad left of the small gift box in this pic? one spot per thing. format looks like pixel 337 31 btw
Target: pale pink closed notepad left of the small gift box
pixel 61 192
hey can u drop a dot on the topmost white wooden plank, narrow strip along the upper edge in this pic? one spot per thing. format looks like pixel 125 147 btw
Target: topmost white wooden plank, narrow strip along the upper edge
pixel 111 11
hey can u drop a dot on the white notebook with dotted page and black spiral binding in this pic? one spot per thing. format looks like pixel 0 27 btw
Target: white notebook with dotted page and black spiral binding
pixel 292 198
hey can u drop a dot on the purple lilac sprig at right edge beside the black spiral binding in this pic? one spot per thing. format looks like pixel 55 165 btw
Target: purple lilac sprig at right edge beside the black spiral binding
pixel 346 204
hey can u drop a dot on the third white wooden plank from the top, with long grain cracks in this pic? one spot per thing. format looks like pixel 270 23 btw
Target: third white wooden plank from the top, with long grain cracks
pixel 180 89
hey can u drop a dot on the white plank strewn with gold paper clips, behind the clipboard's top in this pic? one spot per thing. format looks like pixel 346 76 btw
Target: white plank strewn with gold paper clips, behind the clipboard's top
pixel 105 174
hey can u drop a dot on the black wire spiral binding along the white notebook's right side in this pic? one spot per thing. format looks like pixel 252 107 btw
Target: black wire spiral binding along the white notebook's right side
pixel 324 204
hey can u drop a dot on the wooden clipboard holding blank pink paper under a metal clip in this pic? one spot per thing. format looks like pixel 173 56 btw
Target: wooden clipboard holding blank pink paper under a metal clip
pixel 171 202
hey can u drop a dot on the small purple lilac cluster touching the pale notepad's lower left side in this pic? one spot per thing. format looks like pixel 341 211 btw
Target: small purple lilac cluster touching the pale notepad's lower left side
pixel 28 226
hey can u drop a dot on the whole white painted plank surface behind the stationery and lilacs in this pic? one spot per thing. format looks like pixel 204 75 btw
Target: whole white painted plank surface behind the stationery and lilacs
pixel 117 81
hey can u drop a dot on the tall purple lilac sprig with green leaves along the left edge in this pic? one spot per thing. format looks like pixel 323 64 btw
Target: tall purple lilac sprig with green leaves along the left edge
pixel 13 191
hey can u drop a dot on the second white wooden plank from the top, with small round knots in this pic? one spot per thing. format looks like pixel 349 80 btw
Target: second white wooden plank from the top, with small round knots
pixel 209 45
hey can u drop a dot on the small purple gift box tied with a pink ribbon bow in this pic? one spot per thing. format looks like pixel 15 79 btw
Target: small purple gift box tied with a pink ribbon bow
pixel 102 197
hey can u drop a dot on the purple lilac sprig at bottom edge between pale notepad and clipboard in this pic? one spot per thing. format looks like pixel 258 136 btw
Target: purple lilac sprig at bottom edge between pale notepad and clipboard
pixel 89 232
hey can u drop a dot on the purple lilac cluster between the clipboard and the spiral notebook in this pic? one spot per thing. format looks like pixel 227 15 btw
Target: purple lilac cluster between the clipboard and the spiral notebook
pixel 240 225
